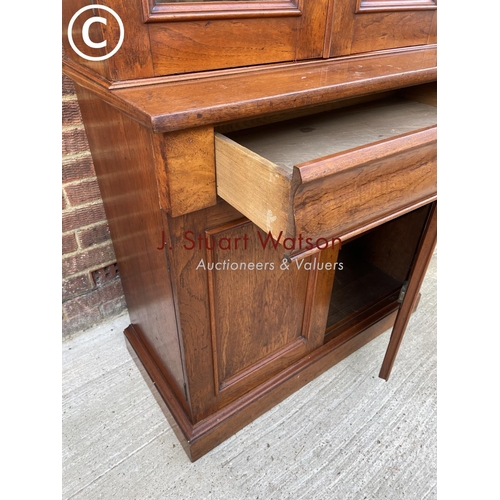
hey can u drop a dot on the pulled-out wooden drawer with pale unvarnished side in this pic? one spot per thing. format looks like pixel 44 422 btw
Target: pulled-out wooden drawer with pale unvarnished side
pixel 331 174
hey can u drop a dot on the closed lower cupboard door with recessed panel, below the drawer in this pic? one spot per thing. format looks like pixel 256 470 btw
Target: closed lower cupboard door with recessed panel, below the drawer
pixel 254 335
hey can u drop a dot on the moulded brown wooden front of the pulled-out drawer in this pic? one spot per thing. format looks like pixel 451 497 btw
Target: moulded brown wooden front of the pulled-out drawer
pixel 350 190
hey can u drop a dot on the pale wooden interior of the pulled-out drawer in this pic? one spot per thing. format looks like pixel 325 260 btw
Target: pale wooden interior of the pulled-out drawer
pixel 304 139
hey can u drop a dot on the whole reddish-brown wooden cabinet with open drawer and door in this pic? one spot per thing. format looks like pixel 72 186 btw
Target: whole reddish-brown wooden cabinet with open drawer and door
pixel 272 207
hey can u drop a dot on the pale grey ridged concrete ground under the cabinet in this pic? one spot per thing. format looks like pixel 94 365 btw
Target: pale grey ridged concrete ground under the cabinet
pixel 346 435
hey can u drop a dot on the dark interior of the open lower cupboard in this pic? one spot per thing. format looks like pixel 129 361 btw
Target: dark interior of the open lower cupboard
pixel 371 271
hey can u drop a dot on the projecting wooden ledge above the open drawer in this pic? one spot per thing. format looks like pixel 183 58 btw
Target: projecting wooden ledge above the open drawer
pixel 245 94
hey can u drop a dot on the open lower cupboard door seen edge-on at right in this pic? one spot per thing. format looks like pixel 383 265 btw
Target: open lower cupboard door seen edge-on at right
pixel 424 255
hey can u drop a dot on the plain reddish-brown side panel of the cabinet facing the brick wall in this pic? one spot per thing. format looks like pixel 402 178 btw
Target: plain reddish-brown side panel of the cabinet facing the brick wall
pixel 124 163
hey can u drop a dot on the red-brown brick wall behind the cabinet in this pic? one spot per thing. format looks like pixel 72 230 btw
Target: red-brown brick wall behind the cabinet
pixel 91 287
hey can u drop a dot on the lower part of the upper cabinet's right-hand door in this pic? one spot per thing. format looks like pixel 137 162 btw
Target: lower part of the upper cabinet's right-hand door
pixel 361 26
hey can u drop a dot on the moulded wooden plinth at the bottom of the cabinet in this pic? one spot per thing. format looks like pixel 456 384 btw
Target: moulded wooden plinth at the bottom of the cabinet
pixel 199 439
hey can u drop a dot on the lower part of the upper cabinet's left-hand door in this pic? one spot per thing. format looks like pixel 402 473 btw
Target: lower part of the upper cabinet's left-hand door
pixel 208 36
